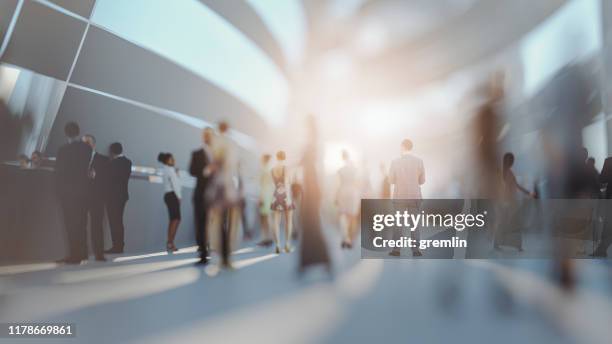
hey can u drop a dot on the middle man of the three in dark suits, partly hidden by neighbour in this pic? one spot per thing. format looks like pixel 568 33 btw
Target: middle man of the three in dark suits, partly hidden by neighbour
pixel 96 196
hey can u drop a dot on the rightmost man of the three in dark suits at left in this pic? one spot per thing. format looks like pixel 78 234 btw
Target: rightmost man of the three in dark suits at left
pixel 119 171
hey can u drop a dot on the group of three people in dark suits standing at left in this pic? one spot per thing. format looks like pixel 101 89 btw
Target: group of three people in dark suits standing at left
pixel 90 184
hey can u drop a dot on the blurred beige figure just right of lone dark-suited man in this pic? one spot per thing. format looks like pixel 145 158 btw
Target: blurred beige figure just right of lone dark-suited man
pixel 223 195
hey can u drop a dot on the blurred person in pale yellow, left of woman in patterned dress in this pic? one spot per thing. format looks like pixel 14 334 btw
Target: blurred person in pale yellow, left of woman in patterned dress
pixel 264 203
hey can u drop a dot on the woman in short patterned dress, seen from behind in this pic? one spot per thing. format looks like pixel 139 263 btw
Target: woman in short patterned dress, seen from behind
pixel 282 203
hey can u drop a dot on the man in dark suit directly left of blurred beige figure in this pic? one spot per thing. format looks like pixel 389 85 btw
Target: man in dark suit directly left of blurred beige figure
pixel 200 167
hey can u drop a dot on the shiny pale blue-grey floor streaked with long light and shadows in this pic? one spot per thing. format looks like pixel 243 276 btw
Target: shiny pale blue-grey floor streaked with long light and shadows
pixel 160 298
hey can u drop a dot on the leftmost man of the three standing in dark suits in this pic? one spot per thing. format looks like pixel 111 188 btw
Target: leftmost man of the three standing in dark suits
pixel 72 167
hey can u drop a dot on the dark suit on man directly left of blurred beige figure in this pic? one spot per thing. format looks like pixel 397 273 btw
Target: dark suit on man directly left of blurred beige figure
pixel 199 161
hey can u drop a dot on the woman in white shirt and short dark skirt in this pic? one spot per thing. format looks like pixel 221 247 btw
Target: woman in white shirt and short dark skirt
pixel 172 196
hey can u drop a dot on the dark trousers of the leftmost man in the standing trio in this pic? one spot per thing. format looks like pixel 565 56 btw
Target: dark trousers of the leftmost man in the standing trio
pixel 74 209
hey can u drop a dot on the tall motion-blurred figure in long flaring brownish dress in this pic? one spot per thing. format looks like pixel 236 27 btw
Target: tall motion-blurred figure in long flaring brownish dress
pixel 313 250
